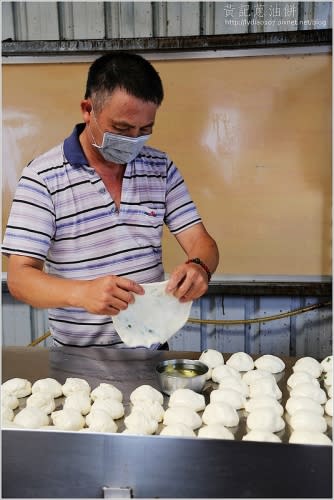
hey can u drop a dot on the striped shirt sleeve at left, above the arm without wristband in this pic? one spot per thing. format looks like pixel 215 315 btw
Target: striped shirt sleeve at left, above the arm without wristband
pixel 31 222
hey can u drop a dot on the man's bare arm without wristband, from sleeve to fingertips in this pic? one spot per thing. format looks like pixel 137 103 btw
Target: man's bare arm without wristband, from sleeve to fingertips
pixel 29 283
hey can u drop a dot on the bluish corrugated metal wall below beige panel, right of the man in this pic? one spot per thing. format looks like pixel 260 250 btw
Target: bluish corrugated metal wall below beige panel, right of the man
pixel 306 334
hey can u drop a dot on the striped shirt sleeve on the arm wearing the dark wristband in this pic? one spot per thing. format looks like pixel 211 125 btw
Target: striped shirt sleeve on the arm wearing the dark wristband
pixel 181 212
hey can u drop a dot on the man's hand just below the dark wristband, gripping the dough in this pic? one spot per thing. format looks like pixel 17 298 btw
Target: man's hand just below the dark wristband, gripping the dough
pixel 188 282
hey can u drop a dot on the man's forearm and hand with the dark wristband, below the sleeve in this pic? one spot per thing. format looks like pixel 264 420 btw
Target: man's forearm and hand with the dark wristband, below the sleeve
pixel 190 281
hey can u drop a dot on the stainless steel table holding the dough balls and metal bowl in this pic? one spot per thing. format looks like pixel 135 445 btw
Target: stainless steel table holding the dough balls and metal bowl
pixel 40 464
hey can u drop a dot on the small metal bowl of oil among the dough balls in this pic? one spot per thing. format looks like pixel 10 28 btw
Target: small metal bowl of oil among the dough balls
pixel 181 374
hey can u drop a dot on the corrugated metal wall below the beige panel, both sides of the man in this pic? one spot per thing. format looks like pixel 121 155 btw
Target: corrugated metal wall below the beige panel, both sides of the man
pixel 308 334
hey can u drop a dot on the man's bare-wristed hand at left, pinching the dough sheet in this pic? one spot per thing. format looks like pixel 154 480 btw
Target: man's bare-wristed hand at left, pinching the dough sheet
pixel 107 295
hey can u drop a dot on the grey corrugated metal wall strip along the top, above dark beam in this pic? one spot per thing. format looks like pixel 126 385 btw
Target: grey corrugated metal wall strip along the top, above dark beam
pixel 99 20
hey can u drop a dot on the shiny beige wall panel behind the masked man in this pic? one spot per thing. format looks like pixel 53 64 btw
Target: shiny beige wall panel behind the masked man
pixel 252 137
